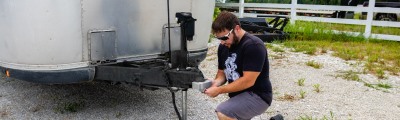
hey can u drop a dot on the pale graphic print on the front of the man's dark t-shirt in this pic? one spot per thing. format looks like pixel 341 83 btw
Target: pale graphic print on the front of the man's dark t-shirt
pixel 230 71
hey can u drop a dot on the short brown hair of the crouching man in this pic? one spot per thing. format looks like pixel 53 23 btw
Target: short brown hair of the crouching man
pixel 225 20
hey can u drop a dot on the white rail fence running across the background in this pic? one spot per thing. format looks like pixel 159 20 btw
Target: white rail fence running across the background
pixel 369 22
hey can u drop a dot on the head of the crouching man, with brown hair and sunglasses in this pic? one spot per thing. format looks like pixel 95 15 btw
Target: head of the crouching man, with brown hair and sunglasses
pixel 225 28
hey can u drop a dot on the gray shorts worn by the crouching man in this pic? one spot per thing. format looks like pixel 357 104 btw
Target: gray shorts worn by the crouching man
pixel 243 106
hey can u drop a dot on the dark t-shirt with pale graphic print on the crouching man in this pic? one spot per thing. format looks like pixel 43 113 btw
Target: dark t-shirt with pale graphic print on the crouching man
pixel 249 55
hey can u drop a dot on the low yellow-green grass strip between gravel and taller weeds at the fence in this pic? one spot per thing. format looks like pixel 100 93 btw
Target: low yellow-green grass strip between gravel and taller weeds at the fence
pixel 378 55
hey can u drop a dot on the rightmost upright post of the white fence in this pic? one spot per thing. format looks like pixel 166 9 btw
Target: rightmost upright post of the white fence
pixel 370 15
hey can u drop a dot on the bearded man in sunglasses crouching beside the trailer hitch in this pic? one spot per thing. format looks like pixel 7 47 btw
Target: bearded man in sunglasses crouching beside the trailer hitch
pixel 243 62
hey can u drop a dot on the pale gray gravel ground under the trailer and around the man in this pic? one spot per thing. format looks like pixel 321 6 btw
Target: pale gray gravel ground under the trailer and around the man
pixel 338 98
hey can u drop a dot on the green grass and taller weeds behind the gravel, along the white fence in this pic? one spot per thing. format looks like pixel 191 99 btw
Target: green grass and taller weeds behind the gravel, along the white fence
pixel 377 54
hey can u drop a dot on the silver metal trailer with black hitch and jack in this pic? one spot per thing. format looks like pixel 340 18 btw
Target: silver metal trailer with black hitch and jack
pixel 143 42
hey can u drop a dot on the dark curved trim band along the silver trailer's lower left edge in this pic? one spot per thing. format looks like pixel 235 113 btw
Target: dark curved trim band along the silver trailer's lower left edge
pixel 67 76
